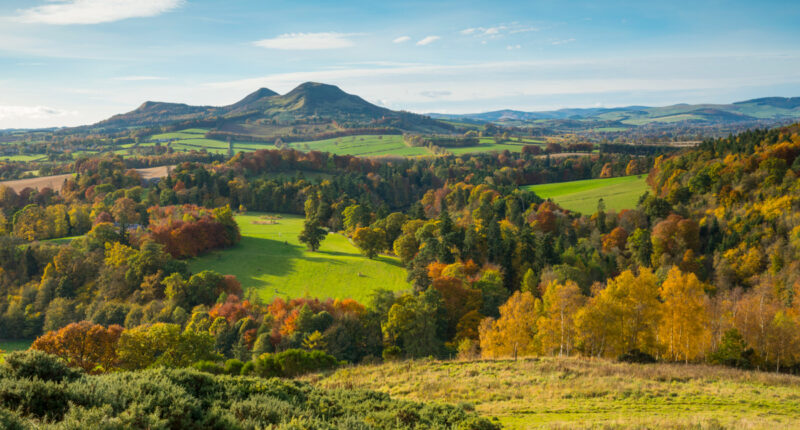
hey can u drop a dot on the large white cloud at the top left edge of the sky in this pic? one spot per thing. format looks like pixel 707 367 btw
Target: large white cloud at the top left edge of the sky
pixel 65 12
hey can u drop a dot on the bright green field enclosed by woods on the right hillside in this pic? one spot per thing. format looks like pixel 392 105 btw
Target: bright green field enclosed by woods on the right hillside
pixel 582 196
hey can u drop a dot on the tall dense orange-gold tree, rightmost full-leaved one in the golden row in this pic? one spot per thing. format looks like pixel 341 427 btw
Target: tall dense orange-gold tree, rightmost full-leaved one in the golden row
pixel 684 316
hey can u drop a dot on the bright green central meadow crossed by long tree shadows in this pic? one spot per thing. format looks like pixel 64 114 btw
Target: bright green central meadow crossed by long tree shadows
pixel 272 260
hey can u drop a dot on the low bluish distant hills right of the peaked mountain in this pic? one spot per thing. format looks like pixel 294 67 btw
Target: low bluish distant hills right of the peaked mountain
pixel 769 108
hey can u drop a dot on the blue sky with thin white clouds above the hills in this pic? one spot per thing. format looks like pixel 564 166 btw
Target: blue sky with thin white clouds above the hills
pixel 73 62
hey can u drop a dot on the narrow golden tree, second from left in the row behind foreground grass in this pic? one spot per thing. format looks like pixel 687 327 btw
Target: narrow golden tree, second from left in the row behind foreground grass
pixel 556 327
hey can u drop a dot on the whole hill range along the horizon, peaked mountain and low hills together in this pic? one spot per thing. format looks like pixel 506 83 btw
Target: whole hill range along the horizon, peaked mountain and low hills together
pixel 314 111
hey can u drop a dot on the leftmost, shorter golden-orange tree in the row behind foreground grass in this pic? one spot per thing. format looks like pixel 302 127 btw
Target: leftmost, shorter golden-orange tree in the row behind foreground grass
pixel 514 332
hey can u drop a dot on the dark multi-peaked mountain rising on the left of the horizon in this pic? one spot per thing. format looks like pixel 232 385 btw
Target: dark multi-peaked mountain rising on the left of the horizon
pixel 265 113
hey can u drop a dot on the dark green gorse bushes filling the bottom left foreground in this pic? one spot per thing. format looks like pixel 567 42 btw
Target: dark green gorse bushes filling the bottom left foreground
pixel 190 399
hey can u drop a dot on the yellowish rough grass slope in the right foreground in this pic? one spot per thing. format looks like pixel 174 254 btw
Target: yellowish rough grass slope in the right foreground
pixel 584 393
